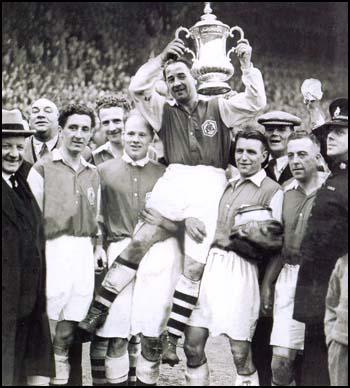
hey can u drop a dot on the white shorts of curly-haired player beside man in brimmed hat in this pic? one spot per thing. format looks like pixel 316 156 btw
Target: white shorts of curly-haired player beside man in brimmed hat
pixel 70 277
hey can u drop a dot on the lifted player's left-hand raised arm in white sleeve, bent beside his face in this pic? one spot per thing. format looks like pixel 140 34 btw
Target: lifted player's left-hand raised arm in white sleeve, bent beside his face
pixel 142 86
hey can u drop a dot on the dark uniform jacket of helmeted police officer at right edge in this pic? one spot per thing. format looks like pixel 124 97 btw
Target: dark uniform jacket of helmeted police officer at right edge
pixel 325 240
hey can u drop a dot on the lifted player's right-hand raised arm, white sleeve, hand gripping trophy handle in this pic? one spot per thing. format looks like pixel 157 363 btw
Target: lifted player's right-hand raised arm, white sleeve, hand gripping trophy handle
pixel 236 109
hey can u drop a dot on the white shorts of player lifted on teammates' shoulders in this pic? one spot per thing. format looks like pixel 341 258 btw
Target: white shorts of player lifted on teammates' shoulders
pixel 190 191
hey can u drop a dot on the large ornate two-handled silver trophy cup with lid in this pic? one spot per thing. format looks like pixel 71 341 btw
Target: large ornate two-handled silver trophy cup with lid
pixel 211 64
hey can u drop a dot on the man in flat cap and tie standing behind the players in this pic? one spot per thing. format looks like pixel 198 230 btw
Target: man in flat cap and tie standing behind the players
pixel 278 126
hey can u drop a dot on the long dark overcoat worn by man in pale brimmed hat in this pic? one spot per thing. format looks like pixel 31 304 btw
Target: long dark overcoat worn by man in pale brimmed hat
pixel 23 284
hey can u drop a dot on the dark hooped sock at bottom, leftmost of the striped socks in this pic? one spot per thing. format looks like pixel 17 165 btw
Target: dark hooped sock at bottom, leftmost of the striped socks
pixel 98 352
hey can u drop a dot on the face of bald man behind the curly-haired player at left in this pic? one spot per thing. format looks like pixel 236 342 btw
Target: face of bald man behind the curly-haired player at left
pixel 44 117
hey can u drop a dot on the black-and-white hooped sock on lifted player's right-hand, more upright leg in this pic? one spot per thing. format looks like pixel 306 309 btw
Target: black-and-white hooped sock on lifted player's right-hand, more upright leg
pixel 184 300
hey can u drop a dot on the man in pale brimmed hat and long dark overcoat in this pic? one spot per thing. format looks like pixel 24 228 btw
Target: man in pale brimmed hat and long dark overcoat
pixel 27 353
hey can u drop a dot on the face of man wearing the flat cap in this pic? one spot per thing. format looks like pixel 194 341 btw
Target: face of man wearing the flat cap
pixel 277 138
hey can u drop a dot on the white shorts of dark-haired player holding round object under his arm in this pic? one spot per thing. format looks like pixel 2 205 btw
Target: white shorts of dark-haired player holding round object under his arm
pixel 229 298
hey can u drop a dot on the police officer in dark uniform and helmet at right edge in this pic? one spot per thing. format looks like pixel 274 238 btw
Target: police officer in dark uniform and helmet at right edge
pixel 325 240
